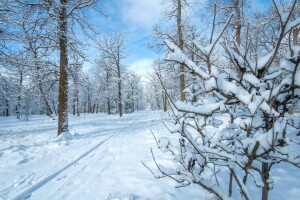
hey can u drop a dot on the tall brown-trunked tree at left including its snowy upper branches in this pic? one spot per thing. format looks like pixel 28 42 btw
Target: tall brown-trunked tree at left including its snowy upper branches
pixel 62 12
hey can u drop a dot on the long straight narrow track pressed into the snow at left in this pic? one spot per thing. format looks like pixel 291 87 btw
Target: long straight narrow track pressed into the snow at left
pixel 28 192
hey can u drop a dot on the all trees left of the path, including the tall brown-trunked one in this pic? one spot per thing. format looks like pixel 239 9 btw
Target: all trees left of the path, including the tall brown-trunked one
pixel 41 63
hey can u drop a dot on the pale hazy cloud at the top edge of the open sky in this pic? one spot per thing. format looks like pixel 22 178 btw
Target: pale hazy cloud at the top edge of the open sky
pixel 141 13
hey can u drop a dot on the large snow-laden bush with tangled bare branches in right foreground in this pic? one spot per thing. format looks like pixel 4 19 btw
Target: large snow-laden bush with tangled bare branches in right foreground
pixel 239 122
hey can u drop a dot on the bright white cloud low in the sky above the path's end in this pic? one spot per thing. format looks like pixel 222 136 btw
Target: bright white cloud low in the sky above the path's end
pixel 142 66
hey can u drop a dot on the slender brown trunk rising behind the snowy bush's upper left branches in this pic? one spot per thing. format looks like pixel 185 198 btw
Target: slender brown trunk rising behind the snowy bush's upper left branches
pixel 180 44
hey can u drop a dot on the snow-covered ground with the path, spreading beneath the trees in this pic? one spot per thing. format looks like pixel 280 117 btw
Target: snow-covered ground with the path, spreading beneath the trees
pixel 101 160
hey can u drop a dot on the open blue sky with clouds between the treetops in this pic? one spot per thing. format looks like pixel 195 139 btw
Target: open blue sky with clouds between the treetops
pixel 136 18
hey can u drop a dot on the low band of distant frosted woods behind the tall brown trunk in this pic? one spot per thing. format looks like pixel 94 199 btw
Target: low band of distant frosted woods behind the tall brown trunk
pixel 92 91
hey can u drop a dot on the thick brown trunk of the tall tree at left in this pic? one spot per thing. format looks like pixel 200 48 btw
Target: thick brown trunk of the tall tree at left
pixel 63 78
